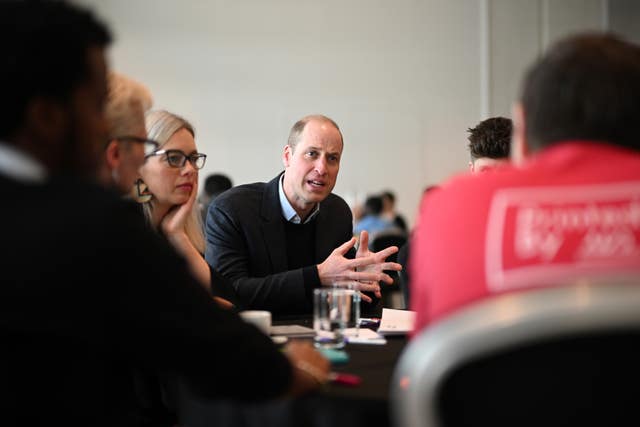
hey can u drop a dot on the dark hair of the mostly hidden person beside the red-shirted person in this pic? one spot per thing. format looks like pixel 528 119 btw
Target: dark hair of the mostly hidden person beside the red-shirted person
pixel 491 138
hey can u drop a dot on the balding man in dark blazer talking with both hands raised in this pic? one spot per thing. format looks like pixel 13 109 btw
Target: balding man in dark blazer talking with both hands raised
pixel 277 241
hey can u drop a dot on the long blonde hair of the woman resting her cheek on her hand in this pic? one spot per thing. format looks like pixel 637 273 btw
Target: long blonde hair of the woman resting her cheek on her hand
pixel 161 126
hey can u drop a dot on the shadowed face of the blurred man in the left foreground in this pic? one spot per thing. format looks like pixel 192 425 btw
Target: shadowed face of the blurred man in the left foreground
pixel 88 125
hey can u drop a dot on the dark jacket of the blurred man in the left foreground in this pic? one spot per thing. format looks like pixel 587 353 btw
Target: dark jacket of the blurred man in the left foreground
pixel 88 294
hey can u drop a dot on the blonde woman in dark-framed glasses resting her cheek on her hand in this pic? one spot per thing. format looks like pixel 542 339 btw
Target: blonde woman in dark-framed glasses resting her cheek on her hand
pixel 168 189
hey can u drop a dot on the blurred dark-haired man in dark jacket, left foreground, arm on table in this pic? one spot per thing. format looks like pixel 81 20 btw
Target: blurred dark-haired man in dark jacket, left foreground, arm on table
pixel 88 292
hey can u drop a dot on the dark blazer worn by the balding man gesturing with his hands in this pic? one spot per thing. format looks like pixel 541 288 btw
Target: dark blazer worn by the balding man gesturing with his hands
pixel 246 243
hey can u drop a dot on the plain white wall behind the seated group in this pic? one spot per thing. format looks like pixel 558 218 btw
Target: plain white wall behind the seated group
pixel 404 79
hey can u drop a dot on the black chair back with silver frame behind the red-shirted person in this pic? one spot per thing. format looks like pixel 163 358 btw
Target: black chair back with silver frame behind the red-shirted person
pixel 545 357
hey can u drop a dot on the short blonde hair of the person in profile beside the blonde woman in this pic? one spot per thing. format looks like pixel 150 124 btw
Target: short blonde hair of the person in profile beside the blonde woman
pixel 126 104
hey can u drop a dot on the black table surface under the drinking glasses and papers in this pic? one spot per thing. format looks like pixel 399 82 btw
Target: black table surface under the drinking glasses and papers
pixel 365 405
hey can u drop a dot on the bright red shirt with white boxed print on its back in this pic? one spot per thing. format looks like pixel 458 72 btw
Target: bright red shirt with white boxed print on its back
pixel 571 211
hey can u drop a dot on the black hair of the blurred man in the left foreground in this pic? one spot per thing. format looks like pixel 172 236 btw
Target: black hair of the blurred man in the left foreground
pixel 43 52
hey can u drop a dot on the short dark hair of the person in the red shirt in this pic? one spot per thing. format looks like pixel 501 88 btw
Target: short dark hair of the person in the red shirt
pixel 586 87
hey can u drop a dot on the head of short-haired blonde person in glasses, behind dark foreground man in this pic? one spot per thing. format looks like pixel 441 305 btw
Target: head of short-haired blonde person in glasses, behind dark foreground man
pixel 127 101
